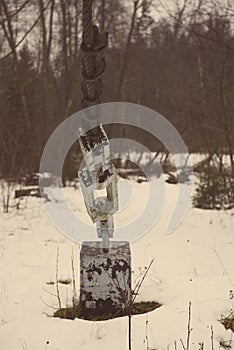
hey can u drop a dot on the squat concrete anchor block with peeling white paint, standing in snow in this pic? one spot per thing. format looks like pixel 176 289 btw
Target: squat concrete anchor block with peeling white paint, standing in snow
pixel 105 278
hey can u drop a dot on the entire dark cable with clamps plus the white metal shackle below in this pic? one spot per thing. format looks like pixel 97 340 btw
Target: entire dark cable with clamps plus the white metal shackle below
pixel 99 172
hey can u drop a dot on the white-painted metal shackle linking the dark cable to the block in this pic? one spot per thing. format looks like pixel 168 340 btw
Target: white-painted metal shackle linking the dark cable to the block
pixel 99 174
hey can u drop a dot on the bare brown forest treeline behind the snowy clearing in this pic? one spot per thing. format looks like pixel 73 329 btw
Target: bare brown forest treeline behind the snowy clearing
pixel 177 59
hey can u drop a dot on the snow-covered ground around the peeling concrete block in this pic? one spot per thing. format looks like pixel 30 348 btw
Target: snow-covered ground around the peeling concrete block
pixel 195 264
